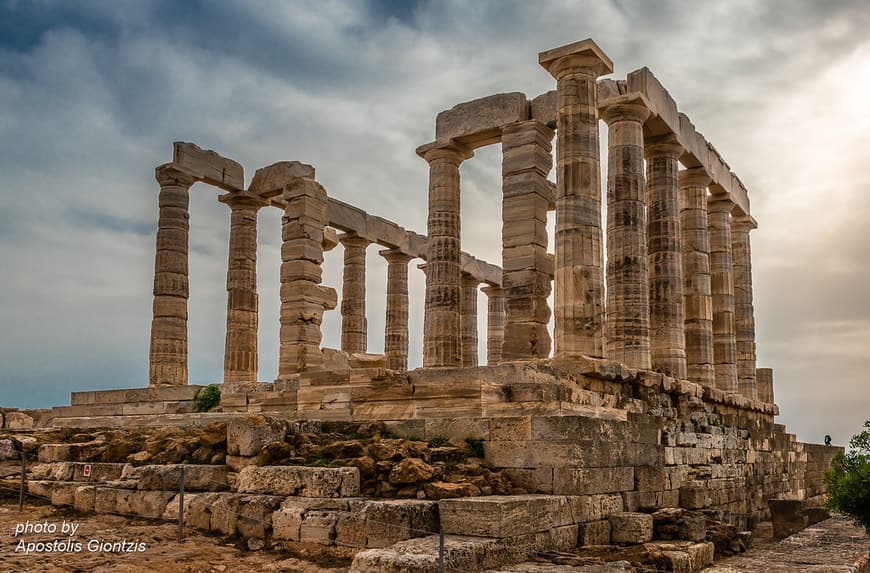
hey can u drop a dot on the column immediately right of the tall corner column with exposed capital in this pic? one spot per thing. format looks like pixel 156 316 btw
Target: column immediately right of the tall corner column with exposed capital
pixel 627 325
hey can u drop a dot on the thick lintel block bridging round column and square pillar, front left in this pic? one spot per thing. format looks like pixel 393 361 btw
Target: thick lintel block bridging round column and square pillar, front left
pixel 479 122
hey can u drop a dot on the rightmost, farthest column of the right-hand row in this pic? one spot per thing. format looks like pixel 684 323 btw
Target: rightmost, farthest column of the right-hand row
pixel 744 311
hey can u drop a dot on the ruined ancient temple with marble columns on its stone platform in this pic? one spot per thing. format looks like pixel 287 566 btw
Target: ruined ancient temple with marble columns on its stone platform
pixel 646 396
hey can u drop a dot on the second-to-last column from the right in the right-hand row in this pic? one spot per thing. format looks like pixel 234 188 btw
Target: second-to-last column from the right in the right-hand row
pixel 722 288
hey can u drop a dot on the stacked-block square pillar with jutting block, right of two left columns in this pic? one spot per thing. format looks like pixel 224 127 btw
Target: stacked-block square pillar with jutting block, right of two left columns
pixel 303 299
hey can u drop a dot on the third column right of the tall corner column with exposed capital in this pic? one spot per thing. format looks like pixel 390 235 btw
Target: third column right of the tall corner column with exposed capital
pixel 697 296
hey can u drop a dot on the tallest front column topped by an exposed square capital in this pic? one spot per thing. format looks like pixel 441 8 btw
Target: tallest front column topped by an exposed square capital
pixel 579 273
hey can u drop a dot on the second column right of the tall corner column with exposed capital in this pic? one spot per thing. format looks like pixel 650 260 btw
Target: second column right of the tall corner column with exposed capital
pixel 667 322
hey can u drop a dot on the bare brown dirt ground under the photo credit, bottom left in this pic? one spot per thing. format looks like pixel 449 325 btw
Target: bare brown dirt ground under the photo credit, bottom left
pixel 161 551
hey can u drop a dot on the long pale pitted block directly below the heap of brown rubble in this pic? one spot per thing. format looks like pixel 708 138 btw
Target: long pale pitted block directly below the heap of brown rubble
pixel 300 481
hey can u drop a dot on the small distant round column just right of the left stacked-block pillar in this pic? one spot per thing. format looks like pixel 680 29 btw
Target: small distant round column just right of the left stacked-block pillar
pixel 354 332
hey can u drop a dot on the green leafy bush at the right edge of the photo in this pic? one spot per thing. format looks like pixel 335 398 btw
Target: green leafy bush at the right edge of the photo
pixel 848 480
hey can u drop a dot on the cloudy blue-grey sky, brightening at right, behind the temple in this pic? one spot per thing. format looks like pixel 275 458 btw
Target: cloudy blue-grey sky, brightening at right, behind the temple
pixel 92 95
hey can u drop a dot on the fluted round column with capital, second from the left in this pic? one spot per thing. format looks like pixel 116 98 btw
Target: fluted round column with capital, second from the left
pixel 240 349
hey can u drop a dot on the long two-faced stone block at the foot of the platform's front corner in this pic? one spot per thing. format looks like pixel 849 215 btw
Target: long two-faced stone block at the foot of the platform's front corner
pixel 503 516
